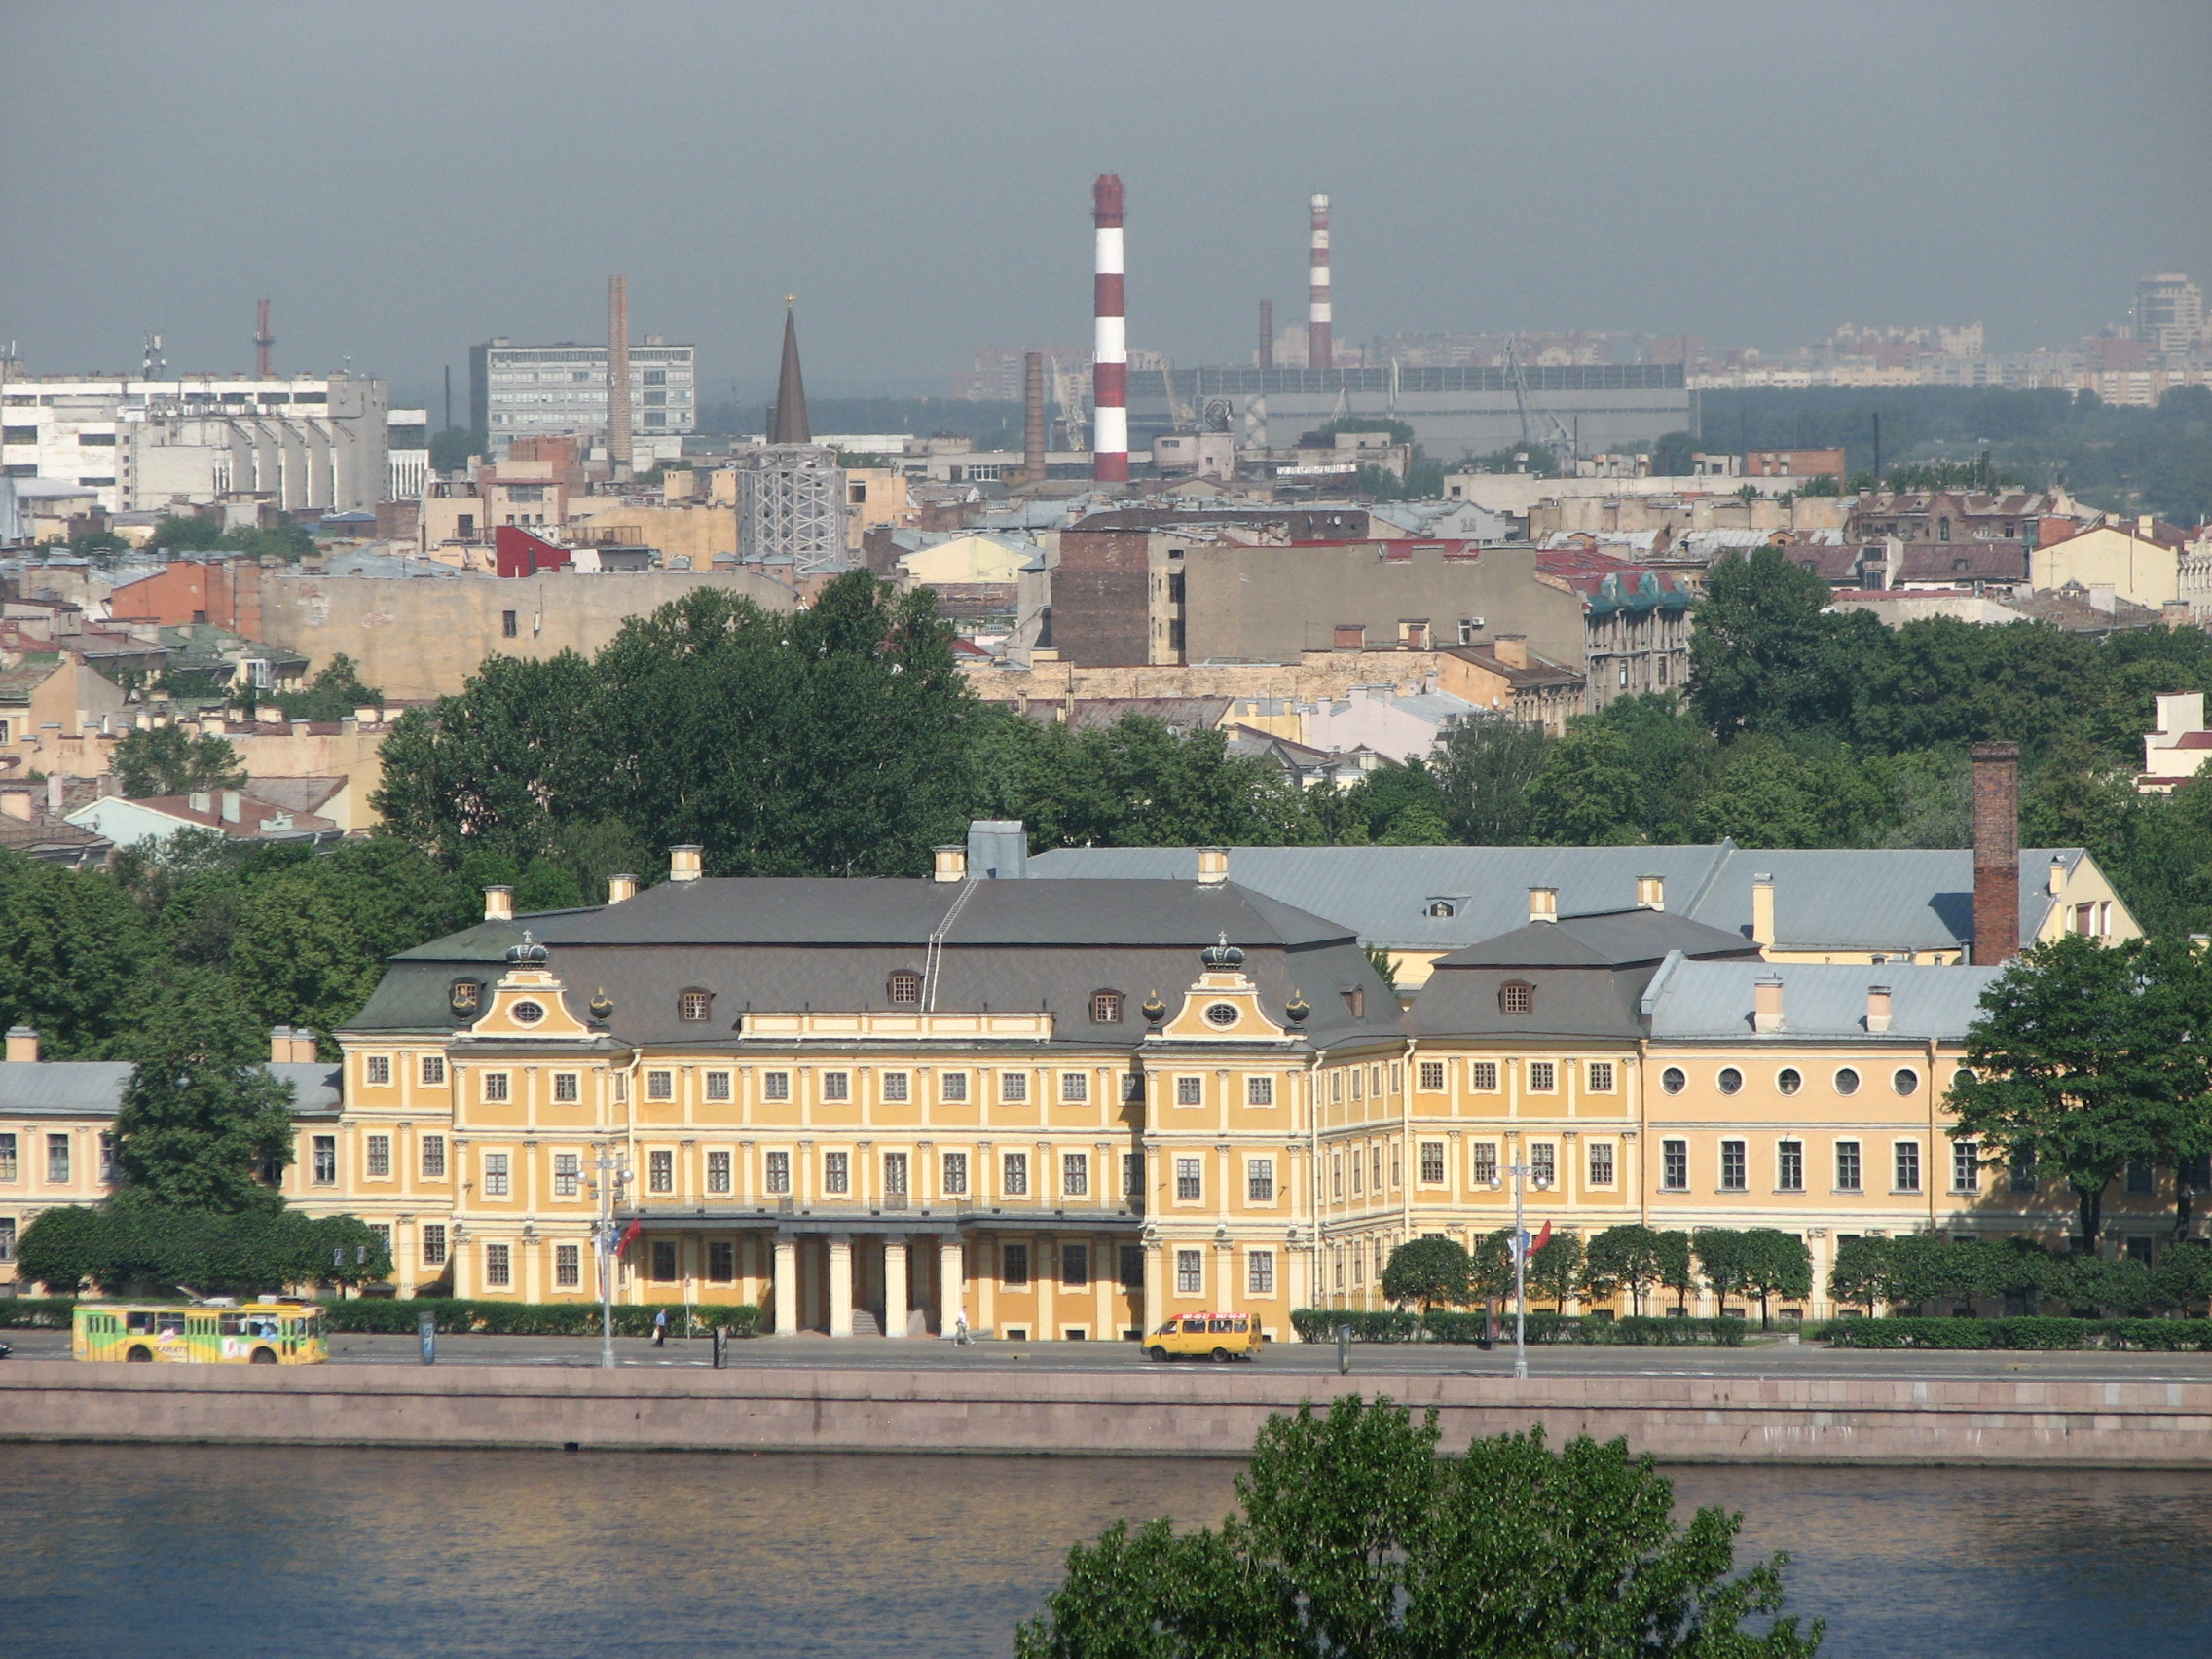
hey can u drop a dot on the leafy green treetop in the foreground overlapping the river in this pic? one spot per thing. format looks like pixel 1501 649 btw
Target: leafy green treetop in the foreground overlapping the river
pixel 1357 1538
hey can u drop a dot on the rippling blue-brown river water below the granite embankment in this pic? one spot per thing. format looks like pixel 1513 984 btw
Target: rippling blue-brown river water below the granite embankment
pixel 247 1552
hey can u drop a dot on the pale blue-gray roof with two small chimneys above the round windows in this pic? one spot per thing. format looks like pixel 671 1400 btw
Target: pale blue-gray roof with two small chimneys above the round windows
pixel 1707 1001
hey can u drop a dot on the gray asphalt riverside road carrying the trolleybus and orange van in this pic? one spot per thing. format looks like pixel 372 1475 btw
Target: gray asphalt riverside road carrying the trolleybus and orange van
pixel 875 1353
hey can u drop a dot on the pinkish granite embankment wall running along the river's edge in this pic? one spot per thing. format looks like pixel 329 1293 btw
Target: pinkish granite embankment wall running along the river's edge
pixel 1171 1412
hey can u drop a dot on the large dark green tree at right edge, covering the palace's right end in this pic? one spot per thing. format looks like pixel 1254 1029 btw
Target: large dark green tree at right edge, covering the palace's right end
pixel 2089 1058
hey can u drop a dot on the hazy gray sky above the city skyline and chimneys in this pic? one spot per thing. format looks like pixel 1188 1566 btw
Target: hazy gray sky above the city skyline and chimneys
pixel 406 178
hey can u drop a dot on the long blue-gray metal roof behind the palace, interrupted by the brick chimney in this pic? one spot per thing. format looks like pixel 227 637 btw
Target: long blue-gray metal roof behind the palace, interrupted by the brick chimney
pixel 1844 899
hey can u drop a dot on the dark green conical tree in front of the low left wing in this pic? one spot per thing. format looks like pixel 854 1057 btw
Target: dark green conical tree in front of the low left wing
pixel 202 1116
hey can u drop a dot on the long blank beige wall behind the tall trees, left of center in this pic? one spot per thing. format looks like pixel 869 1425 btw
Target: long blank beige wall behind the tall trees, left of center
pixel 415 638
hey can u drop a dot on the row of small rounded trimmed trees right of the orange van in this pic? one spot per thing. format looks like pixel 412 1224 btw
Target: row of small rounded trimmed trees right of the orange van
pixel 1760 1264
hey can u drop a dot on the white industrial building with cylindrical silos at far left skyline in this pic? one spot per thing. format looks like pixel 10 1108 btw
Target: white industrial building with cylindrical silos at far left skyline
pixel 298 444
